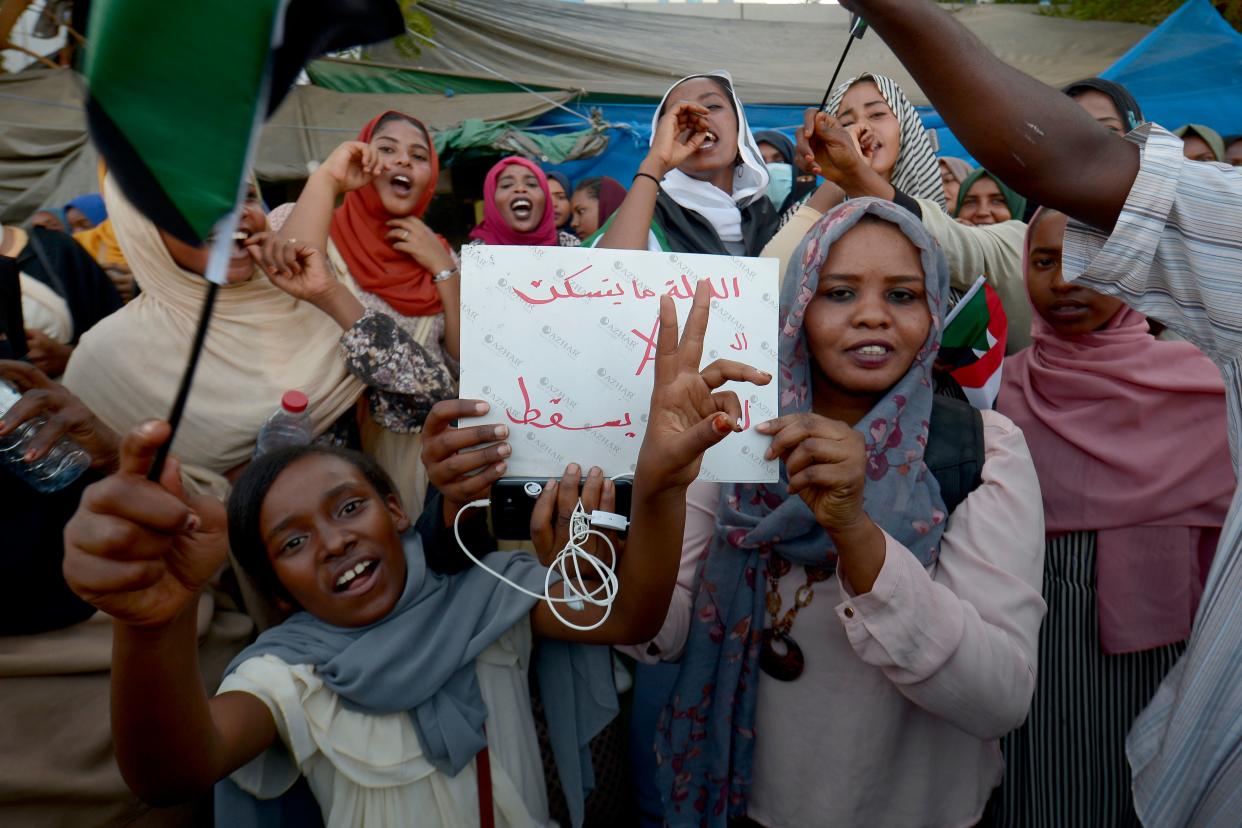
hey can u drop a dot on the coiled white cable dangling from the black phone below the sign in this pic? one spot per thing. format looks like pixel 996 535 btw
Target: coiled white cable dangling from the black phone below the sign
pixel 568 562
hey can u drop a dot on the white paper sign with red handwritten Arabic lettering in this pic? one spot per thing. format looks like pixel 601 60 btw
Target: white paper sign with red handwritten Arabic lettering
pixel 561 343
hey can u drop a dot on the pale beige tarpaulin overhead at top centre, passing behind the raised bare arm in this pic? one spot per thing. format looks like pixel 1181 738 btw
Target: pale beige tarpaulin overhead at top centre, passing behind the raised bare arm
pixel 610 52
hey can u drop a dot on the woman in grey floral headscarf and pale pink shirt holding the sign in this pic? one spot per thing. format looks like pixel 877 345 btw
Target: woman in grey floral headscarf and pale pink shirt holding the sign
pixel 884 598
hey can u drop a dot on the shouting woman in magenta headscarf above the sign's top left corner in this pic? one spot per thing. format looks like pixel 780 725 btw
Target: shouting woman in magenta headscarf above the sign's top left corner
pixel 517 208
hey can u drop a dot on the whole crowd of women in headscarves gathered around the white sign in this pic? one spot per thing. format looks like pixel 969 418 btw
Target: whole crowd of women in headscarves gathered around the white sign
pixel 940 616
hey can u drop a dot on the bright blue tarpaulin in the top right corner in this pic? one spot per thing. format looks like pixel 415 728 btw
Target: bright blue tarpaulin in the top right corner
pixel 1188 70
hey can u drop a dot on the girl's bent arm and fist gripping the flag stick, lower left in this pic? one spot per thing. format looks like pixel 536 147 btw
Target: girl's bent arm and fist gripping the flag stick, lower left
pixel 142 553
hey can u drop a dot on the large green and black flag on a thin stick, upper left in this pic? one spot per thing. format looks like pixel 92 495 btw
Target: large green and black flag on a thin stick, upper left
pixel 177 96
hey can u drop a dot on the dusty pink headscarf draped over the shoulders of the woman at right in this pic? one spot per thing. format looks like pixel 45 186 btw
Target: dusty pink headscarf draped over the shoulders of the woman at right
pixel 1130 439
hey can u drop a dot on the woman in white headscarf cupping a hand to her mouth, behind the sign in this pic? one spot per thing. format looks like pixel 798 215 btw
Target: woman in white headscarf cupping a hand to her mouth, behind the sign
pixel 702 187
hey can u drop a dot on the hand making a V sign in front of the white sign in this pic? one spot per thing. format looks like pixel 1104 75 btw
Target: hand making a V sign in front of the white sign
pixel 687 414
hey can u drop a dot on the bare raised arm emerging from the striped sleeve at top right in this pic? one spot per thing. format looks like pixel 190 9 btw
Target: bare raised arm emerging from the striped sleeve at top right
pixel 1039 141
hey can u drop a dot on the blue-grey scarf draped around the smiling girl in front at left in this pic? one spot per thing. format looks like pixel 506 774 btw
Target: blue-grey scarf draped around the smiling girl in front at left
pixel 420 660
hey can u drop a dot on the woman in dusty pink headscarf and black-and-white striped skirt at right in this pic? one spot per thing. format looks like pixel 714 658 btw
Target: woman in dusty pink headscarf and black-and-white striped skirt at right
pixel 1133 511
